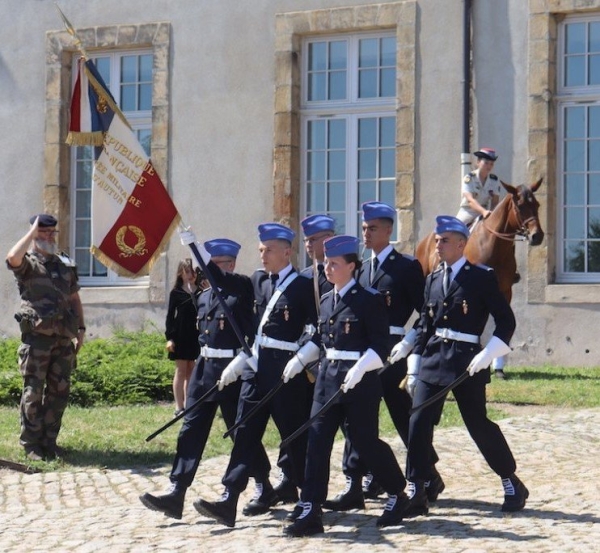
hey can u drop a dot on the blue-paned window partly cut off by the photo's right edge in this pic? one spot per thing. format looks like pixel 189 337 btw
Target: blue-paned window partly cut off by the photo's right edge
pixel 579 150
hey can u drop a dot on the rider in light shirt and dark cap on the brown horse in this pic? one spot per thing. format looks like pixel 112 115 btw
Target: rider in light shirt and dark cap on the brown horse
pixel 480 191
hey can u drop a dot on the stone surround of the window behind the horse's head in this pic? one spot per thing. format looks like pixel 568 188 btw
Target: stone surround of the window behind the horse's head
pixel 544 18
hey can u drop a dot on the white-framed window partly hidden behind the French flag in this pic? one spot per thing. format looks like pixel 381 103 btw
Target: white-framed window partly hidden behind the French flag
pixel 128 75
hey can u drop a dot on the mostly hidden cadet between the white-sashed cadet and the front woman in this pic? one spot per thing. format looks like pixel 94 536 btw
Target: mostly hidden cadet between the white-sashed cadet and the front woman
pixel 316 228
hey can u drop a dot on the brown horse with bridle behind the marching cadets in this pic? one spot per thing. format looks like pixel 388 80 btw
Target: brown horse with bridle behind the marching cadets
pixel 492 240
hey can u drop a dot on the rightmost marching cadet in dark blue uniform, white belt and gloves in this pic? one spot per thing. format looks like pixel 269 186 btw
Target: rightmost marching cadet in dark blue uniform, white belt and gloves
pixel 459 297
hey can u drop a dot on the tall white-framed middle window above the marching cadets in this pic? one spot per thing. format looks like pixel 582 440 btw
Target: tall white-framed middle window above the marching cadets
pixel 348 132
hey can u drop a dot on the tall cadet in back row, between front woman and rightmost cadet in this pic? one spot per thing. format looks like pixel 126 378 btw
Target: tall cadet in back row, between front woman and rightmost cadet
pixel 399 279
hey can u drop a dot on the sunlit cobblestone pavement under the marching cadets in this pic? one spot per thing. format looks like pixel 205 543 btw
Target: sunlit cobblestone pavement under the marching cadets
pixel 557 453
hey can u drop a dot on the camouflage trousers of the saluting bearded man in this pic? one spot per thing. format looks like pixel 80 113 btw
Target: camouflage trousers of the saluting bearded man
pixel 45 364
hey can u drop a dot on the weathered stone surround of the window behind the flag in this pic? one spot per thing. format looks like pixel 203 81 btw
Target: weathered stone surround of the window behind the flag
pixel 60 50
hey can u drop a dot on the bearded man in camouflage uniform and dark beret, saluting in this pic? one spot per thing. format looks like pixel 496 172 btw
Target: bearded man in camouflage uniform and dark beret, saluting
pixel 51 320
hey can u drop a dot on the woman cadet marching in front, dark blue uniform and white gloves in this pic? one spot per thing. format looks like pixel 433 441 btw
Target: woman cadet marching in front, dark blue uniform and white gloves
pixel 353 331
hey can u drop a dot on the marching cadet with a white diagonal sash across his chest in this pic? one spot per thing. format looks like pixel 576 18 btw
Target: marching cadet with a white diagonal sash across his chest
pixel 284 304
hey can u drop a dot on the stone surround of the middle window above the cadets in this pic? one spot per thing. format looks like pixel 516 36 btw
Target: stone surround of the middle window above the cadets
pixel 290 29
